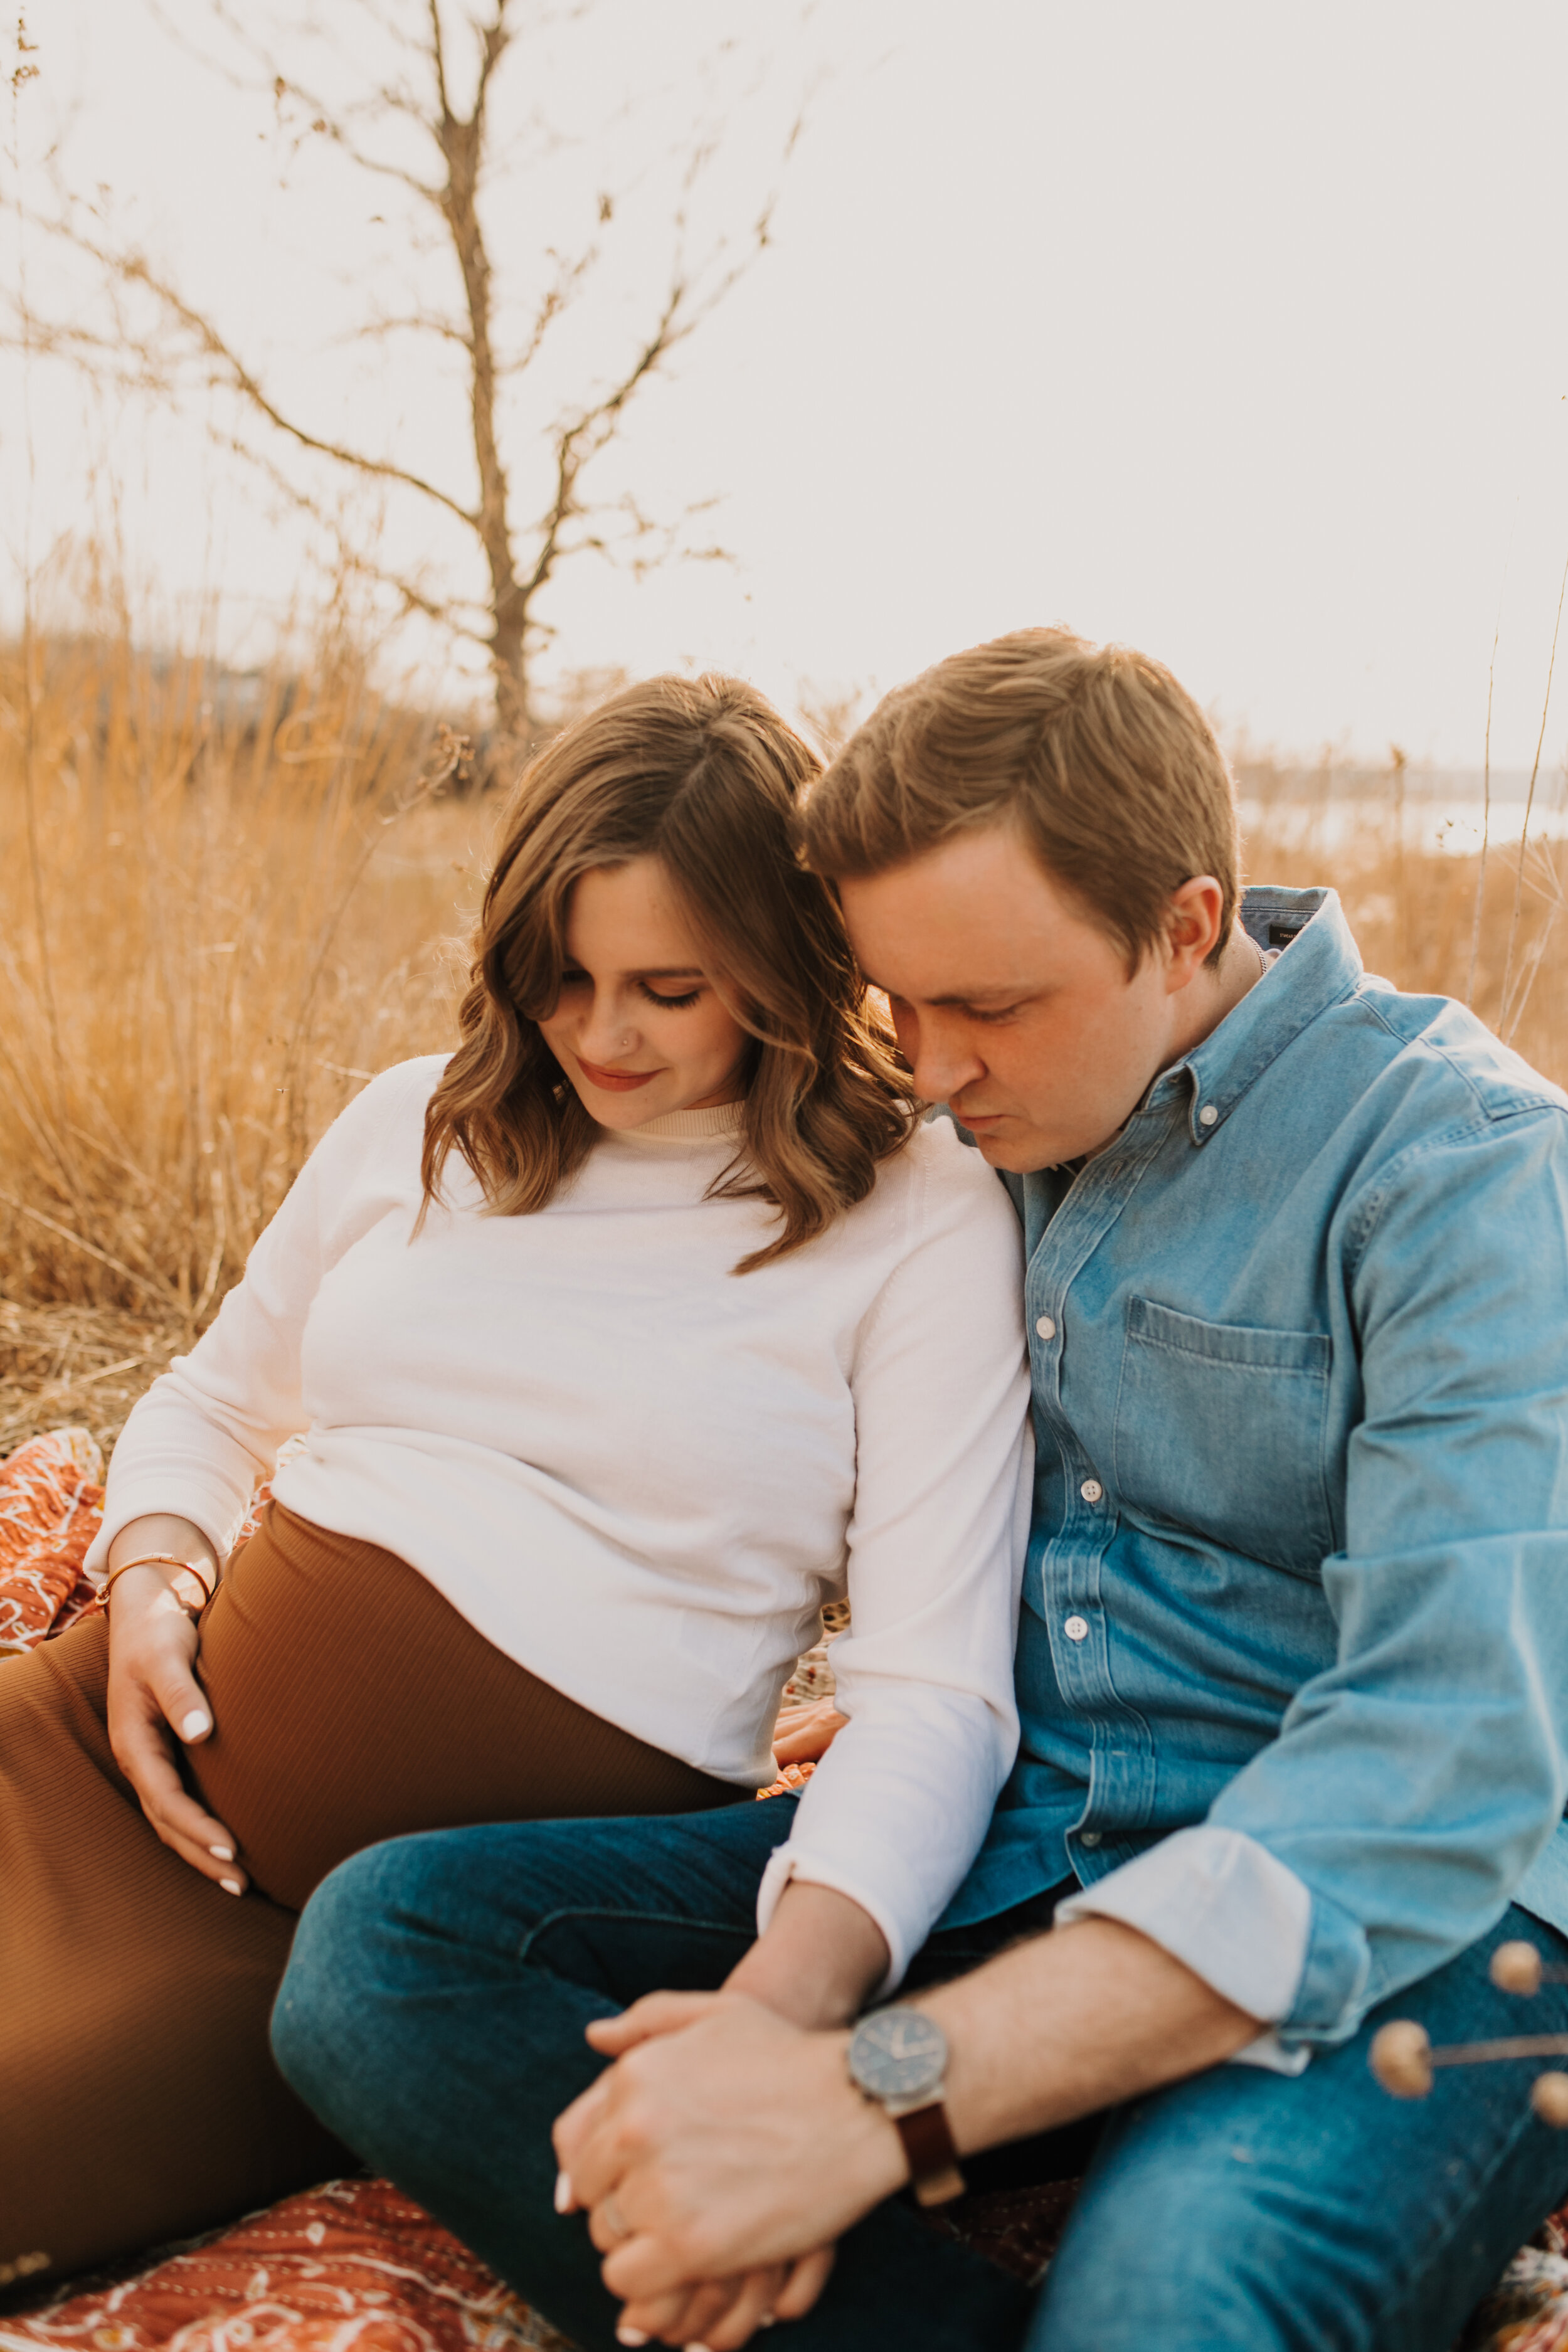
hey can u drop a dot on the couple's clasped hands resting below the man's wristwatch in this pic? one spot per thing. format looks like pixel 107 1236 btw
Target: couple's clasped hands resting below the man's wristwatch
pixel 721 2151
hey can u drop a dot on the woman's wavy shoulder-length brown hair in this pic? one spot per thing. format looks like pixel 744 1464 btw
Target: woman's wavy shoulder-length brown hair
pixel 706 777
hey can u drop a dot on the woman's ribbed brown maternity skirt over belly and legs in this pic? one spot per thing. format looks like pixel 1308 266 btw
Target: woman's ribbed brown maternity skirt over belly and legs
pixel 351 1702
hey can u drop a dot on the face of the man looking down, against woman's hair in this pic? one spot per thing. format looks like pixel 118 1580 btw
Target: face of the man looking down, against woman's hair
pixel 1010 1003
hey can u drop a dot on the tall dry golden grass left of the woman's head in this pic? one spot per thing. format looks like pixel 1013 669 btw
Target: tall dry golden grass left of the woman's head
pixel 213 926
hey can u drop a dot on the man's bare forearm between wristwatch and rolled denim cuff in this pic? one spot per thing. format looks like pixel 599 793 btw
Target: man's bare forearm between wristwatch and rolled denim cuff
pixel 1071 2024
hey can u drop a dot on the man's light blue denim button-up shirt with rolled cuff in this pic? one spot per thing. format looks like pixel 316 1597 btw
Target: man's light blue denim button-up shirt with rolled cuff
pixel 1299 1563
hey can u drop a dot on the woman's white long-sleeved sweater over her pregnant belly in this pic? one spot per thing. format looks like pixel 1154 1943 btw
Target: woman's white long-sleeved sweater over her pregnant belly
pixel 641 1474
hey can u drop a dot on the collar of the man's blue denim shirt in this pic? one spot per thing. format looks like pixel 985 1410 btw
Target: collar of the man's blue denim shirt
pixel 1320 965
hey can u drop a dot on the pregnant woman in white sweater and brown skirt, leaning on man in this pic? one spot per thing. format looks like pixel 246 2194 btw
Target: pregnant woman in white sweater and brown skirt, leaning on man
pixel 619 1342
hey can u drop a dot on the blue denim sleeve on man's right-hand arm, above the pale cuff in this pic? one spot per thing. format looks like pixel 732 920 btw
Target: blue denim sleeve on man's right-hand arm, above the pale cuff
pixel 1419 1777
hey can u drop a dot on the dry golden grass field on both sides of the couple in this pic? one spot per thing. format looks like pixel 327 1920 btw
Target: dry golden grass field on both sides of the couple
pixel 227 902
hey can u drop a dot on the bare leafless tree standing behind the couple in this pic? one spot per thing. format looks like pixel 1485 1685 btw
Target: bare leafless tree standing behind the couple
pixel 431 131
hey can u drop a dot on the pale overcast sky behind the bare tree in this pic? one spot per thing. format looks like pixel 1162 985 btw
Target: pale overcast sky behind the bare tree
pixel 1233 330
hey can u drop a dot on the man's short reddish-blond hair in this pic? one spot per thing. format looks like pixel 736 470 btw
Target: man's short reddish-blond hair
pixel 1097 754
